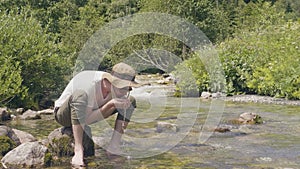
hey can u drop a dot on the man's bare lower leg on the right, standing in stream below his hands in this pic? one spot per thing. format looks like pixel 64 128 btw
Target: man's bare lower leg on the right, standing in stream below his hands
pixel 114 146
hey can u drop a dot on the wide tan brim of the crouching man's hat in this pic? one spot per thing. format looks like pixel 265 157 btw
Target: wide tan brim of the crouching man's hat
pixel 121 83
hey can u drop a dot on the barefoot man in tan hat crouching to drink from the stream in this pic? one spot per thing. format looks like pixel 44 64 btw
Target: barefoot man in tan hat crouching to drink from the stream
pixel 95 95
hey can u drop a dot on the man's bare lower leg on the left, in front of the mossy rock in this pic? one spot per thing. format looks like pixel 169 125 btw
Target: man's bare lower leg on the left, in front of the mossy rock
pixel 78 147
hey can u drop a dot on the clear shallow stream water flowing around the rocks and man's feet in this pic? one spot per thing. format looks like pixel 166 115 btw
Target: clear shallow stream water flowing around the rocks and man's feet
pixel 273 144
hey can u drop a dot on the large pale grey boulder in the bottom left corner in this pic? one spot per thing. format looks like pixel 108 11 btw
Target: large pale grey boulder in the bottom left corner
pixel 30 154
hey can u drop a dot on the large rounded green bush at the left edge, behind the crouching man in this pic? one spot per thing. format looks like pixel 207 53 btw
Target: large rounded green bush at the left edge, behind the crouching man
pixel 34 64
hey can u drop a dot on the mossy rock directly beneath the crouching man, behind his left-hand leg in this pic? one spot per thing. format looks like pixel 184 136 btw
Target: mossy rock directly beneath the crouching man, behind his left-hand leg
pixel 61 142
